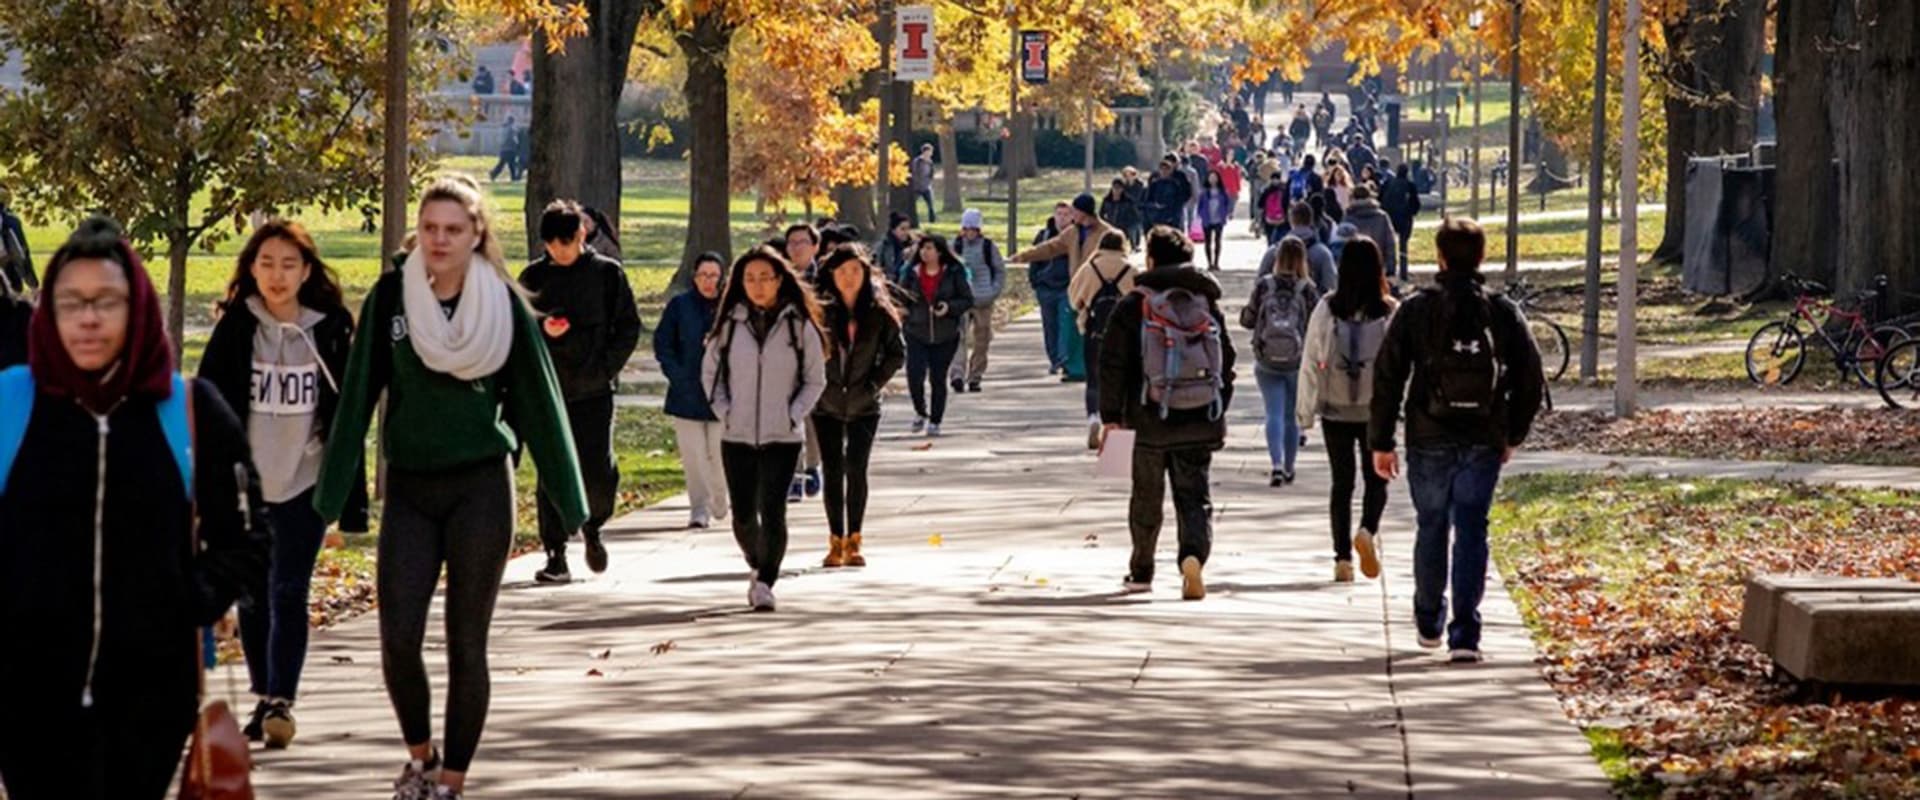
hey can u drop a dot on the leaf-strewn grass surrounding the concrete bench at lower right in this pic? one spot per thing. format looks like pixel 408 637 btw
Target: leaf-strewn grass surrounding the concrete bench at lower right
pixel 1633 588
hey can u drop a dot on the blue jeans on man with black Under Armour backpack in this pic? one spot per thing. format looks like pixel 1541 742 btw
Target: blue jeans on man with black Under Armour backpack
pixel 1452 492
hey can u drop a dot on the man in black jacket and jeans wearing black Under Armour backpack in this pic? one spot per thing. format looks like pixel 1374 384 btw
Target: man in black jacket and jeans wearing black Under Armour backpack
pixel 1476 390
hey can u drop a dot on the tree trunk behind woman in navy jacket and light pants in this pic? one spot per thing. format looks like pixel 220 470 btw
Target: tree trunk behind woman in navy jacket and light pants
pixel 709 156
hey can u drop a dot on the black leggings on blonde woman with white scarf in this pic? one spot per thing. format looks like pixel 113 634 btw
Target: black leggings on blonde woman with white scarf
pixel 462 519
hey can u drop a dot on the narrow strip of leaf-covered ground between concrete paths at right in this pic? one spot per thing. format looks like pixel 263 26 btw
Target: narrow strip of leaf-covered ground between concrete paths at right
pixel 1825 436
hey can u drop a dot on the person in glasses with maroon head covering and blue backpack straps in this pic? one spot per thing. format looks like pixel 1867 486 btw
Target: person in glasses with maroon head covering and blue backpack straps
pixel 130 517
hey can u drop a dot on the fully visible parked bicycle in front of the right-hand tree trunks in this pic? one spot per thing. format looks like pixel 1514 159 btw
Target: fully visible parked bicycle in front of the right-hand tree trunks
pixel 1779 350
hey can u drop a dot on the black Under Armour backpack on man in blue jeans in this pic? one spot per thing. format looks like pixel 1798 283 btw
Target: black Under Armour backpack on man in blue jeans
pixel 1462 356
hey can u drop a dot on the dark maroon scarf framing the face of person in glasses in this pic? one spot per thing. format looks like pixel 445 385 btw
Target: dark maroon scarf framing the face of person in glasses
pixel 147 360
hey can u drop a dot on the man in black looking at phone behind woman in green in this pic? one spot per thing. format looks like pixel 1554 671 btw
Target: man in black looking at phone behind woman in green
pixel 592 327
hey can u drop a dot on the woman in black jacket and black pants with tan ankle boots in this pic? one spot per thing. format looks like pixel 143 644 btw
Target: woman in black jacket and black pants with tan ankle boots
pixel 865 352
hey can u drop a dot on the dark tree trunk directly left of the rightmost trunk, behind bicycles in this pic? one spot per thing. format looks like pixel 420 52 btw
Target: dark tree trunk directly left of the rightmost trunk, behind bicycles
pixel 1804 231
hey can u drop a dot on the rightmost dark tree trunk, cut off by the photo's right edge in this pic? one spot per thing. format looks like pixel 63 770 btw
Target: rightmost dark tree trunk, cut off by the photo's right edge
pixel 1875 106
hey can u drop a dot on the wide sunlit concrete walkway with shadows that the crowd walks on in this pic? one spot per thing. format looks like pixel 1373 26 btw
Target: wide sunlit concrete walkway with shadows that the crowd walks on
pixel 984 653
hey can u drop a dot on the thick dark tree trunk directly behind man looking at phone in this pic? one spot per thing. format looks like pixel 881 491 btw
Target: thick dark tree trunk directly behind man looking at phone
pixel 575 135
